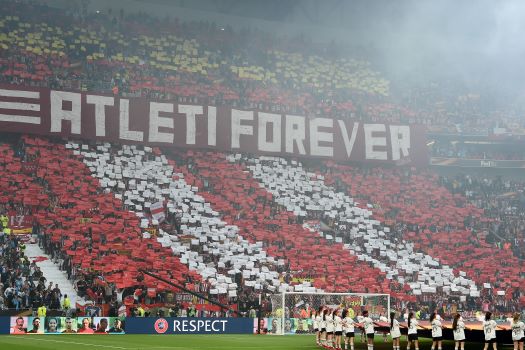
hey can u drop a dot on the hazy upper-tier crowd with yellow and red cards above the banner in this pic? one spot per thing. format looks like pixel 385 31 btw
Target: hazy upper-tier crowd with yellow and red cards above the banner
pixel 135 54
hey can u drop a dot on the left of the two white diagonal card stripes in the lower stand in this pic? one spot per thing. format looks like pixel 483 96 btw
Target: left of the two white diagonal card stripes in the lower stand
pixel 138 188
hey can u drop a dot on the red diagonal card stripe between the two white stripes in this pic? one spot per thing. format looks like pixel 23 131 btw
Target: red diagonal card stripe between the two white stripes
pixel 262 219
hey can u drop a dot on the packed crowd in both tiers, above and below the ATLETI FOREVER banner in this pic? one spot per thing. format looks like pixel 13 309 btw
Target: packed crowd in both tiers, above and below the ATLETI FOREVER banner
pixel 236 225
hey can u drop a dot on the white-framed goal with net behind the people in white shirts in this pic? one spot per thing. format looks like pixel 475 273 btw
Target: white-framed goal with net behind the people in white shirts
pixel 291 311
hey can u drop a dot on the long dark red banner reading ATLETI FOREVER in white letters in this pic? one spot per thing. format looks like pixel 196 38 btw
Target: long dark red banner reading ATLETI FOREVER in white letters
pixel 167 124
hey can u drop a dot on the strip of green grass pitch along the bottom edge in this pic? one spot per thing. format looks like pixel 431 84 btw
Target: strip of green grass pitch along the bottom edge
pixel 187 342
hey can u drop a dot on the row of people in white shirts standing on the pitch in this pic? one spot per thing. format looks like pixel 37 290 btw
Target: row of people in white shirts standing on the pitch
pixel 331 325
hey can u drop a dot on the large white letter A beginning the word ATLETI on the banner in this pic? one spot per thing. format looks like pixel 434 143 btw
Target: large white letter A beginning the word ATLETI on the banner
pixel 58 113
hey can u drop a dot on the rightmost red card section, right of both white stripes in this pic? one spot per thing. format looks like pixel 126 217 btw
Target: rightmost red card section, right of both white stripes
pixel 434 219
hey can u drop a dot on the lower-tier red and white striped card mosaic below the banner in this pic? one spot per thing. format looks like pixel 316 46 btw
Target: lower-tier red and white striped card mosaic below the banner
pixel 255 240
